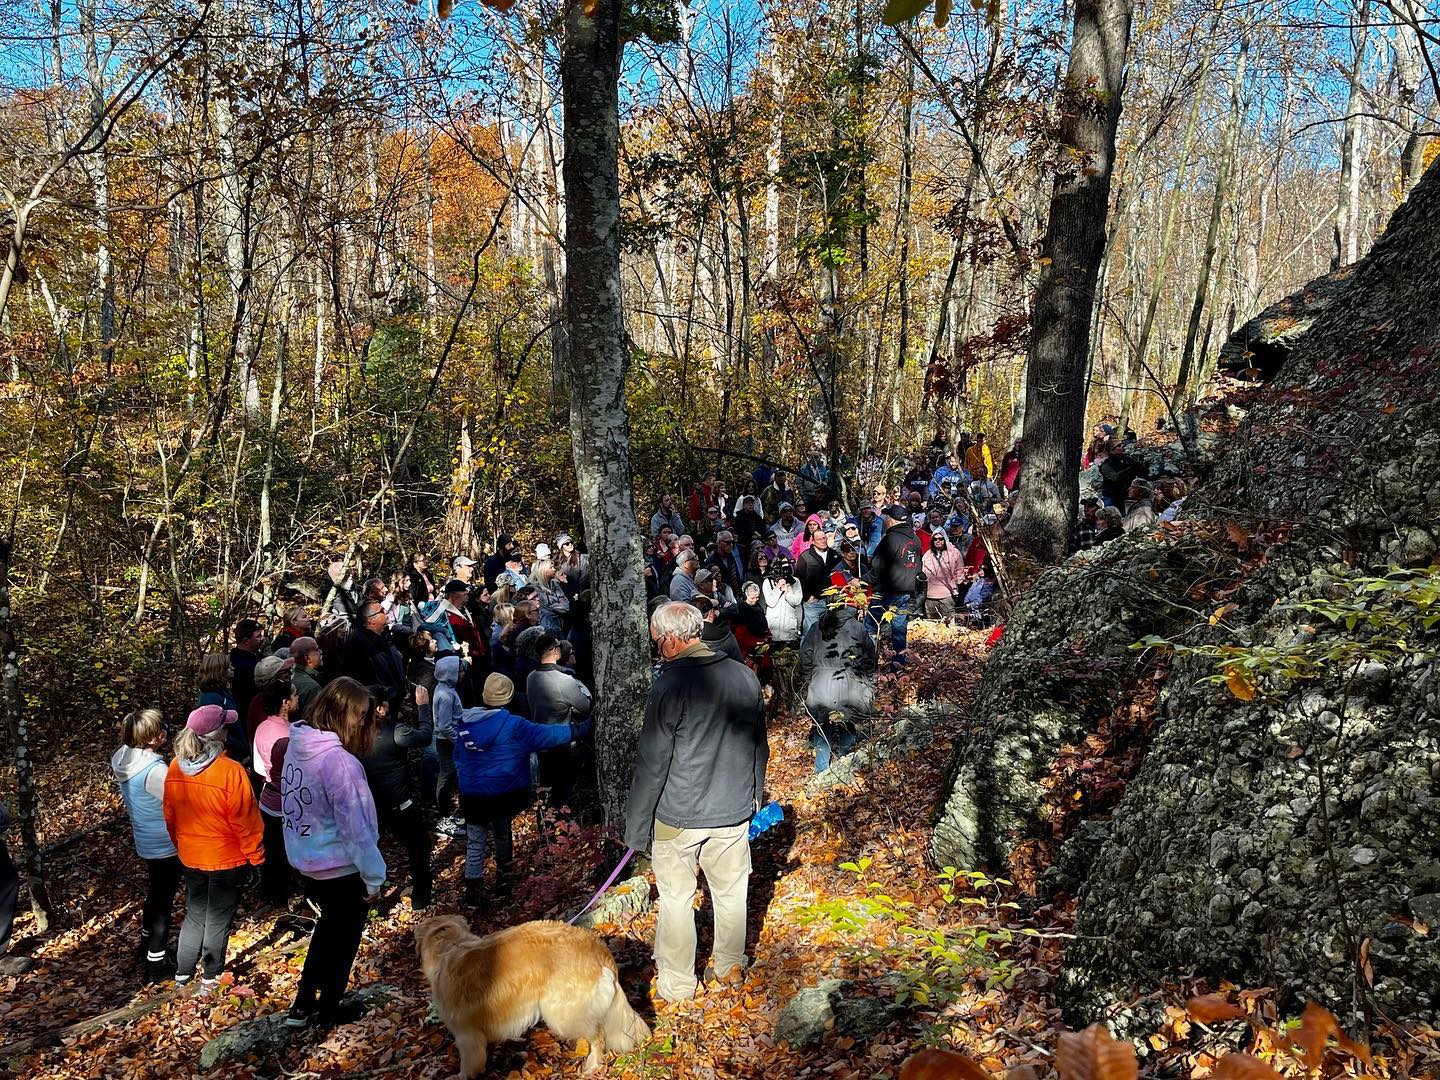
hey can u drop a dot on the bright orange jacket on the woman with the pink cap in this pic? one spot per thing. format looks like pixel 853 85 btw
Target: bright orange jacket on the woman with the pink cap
pixel 212 816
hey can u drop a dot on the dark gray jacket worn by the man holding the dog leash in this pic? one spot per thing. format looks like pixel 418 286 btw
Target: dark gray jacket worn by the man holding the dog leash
pixel 702 754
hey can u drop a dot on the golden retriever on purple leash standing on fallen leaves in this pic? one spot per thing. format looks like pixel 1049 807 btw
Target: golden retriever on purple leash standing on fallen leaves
pixel 493 989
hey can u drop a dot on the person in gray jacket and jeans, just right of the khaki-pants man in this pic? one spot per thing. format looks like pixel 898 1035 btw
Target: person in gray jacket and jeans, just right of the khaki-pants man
pixel 839 669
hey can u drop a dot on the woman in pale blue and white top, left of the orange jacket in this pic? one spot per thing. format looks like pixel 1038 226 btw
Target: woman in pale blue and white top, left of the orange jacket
pixel 140 773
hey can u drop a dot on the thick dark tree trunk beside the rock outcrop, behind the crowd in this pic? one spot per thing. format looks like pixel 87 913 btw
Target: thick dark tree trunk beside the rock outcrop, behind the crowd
pixel 1074 246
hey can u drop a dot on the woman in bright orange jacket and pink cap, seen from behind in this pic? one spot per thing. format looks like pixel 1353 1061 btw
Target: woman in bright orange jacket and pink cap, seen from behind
pixel 211 814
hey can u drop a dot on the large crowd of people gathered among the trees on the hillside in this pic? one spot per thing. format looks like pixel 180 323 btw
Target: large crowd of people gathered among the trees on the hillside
pixel 428 706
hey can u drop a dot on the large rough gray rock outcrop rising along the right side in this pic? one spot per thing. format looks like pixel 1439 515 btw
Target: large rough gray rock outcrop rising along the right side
pixel 1268 840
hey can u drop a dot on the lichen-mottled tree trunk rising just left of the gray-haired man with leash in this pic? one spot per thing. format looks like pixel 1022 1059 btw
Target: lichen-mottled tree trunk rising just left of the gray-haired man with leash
pixel 600 424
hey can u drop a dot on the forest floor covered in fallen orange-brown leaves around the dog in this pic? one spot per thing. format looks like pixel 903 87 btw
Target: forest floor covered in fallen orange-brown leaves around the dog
pixel 840 891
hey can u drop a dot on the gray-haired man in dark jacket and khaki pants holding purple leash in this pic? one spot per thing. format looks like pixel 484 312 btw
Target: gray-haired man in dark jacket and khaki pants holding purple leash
pixel 699 780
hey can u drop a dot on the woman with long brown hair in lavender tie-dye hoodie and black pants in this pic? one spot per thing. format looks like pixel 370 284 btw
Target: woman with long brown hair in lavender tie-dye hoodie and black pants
pixel 333 840
